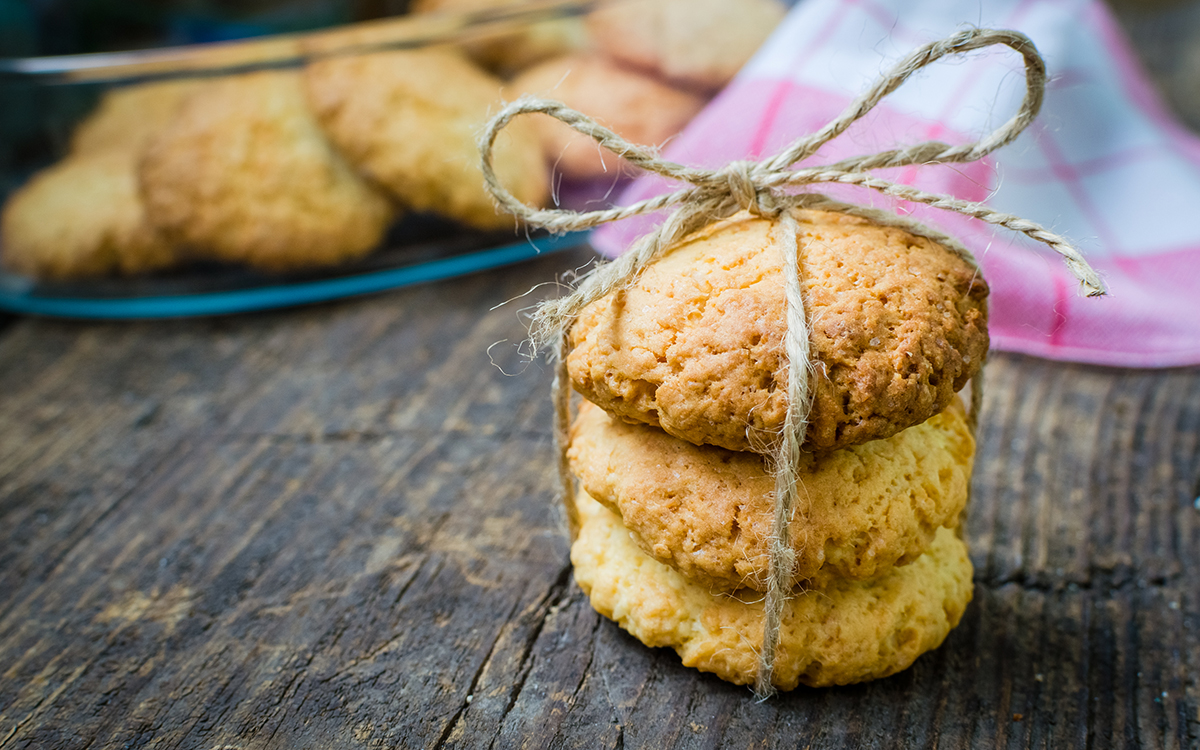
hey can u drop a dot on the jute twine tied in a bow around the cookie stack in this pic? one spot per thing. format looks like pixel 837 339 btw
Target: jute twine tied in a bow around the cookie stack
pixel 761 188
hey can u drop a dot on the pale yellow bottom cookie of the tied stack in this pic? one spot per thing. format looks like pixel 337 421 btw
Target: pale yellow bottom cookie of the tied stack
pixel 848 632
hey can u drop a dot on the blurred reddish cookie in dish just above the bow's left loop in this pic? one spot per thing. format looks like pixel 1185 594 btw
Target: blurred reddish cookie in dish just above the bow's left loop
pixel 637 107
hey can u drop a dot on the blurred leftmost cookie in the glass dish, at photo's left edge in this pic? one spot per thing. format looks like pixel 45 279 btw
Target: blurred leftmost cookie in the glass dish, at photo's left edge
pixel 82 218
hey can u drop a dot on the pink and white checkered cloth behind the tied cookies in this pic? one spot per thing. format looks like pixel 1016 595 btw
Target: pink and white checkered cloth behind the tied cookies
pixel 1105 164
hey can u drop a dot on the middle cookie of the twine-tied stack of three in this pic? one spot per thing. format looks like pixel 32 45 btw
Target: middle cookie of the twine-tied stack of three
pixel 707 512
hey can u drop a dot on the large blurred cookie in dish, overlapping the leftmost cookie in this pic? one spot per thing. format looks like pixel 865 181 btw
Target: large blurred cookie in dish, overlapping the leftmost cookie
pixel 244 175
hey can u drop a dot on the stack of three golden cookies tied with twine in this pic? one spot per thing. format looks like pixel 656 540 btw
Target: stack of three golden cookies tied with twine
pixel 685 379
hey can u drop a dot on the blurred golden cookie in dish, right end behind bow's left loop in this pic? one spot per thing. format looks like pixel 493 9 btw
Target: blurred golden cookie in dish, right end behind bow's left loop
pixel 410 119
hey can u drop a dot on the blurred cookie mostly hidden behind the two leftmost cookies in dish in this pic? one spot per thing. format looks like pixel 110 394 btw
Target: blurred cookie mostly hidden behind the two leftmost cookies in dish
pixel 128 118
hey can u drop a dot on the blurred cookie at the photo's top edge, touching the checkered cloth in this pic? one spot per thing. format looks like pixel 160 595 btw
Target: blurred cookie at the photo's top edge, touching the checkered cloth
pixel 700 44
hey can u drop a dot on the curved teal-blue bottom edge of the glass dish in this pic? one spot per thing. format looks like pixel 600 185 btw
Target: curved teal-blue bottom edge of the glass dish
pixel 283 296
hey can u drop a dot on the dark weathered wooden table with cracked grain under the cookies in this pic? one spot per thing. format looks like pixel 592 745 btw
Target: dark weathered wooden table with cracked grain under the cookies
pixel 333 529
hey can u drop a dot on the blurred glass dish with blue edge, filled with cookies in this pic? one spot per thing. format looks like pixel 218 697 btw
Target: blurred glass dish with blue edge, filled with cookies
pixel 295 169
